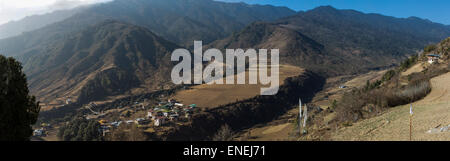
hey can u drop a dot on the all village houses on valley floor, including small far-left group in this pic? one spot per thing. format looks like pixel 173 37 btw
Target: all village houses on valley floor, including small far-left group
pixel 145 116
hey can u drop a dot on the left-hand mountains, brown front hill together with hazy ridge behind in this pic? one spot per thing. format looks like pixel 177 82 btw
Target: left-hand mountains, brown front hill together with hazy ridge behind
pixel 63 59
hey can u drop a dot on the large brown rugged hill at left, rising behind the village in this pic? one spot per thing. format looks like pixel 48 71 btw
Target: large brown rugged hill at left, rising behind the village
pixel 103 60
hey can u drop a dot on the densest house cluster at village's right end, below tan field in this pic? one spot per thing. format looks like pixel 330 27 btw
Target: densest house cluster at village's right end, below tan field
pixel 170 110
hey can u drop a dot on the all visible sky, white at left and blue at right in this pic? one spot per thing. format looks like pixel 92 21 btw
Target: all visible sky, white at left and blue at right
pixel 435 10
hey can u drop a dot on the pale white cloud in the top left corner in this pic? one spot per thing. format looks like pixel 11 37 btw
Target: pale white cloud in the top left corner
pixel 17 9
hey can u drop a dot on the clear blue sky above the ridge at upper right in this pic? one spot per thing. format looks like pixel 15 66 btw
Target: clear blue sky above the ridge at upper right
pixel 434 10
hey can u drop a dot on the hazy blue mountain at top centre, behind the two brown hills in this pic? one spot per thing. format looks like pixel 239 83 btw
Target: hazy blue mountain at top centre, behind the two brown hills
pixel 183 21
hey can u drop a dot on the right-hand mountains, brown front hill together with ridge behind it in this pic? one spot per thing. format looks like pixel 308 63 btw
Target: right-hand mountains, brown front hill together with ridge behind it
pixel 344 41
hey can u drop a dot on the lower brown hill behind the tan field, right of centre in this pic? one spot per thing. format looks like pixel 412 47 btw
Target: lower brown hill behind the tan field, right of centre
pixel 295 48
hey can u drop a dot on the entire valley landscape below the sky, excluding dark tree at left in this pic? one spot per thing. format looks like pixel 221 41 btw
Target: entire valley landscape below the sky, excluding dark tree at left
pixel 103 72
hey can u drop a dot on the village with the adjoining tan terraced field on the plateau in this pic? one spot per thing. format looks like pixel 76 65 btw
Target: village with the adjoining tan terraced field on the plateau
pixel 204 97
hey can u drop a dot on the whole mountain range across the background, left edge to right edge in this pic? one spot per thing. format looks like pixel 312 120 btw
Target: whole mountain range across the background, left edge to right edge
pixel 117 47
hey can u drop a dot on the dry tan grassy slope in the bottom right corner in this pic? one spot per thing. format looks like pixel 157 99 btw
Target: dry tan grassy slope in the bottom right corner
pixel 431 112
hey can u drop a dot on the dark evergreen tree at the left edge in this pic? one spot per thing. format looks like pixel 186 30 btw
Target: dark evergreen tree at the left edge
pixel 18 110
